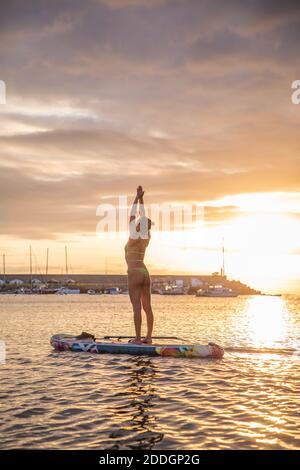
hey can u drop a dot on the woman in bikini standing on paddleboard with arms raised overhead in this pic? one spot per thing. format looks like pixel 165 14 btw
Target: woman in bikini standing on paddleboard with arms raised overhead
pixel 138 277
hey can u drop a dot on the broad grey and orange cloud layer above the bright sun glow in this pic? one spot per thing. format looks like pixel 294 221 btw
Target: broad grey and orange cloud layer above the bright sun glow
pixel 190 98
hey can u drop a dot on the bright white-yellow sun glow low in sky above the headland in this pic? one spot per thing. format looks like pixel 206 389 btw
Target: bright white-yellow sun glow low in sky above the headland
pixel 261 243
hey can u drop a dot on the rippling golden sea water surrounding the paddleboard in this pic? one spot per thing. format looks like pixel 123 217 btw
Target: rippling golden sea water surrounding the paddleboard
pixel 63 400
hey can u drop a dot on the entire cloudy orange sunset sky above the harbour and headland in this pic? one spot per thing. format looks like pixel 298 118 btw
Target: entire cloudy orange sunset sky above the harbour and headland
pixel 191 99
